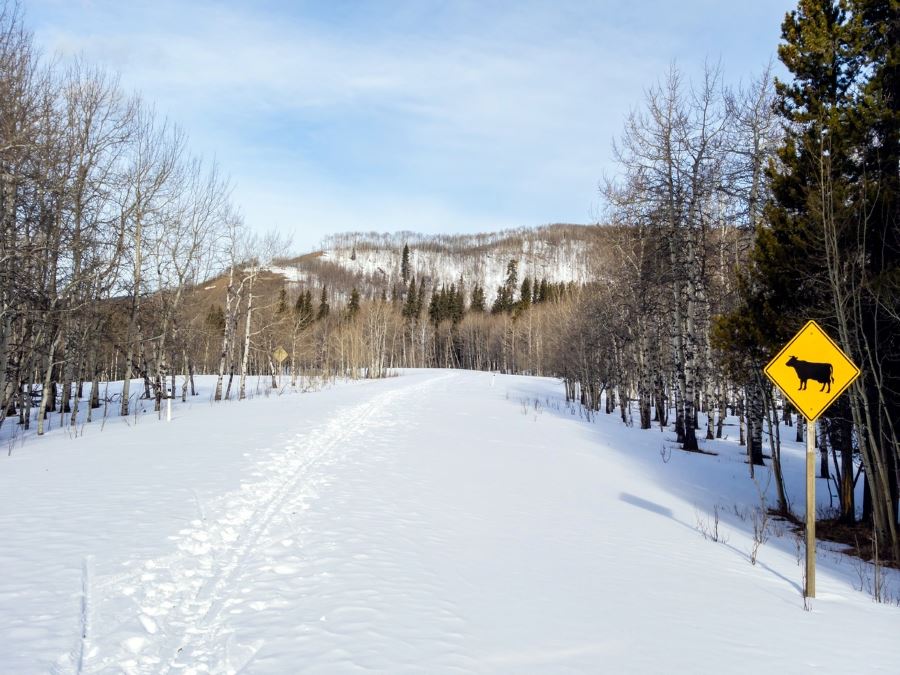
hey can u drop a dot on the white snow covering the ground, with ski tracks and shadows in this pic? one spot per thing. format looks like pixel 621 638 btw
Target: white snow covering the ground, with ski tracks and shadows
pixel 440 521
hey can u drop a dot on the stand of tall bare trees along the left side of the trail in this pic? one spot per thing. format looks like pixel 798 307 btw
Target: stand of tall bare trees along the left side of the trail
pixel 107 220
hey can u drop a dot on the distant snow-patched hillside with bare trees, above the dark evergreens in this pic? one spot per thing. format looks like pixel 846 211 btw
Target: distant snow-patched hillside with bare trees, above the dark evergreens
pixel 561 253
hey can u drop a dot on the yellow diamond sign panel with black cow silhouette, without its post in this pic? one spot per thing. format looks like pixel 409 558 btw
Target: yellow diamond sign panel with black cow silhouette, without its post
pixel 812 371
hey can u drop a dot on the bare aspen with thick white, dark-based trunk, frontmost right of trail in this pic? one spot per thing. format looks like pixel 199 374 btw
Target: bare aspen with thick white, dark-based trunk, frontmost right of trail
pixel 672 154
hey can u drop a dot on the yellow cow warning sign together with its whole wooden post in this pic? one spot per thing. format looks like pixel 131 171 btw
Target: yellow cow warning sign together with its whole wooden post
pixel 815 362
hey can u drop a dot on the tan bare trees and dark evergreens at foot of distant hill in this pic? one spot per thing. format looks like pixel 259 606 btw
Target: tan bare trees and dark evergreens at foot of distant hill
pixel 330 332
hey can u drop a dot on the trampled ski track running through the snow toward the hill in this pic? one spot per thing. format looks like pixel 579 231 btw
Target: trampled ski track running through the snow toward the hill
pixel 175 618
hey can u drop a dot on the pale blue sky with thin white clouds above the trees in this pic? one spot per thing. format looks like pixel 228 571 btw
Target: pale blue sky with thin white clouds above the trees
pixel 423 115
